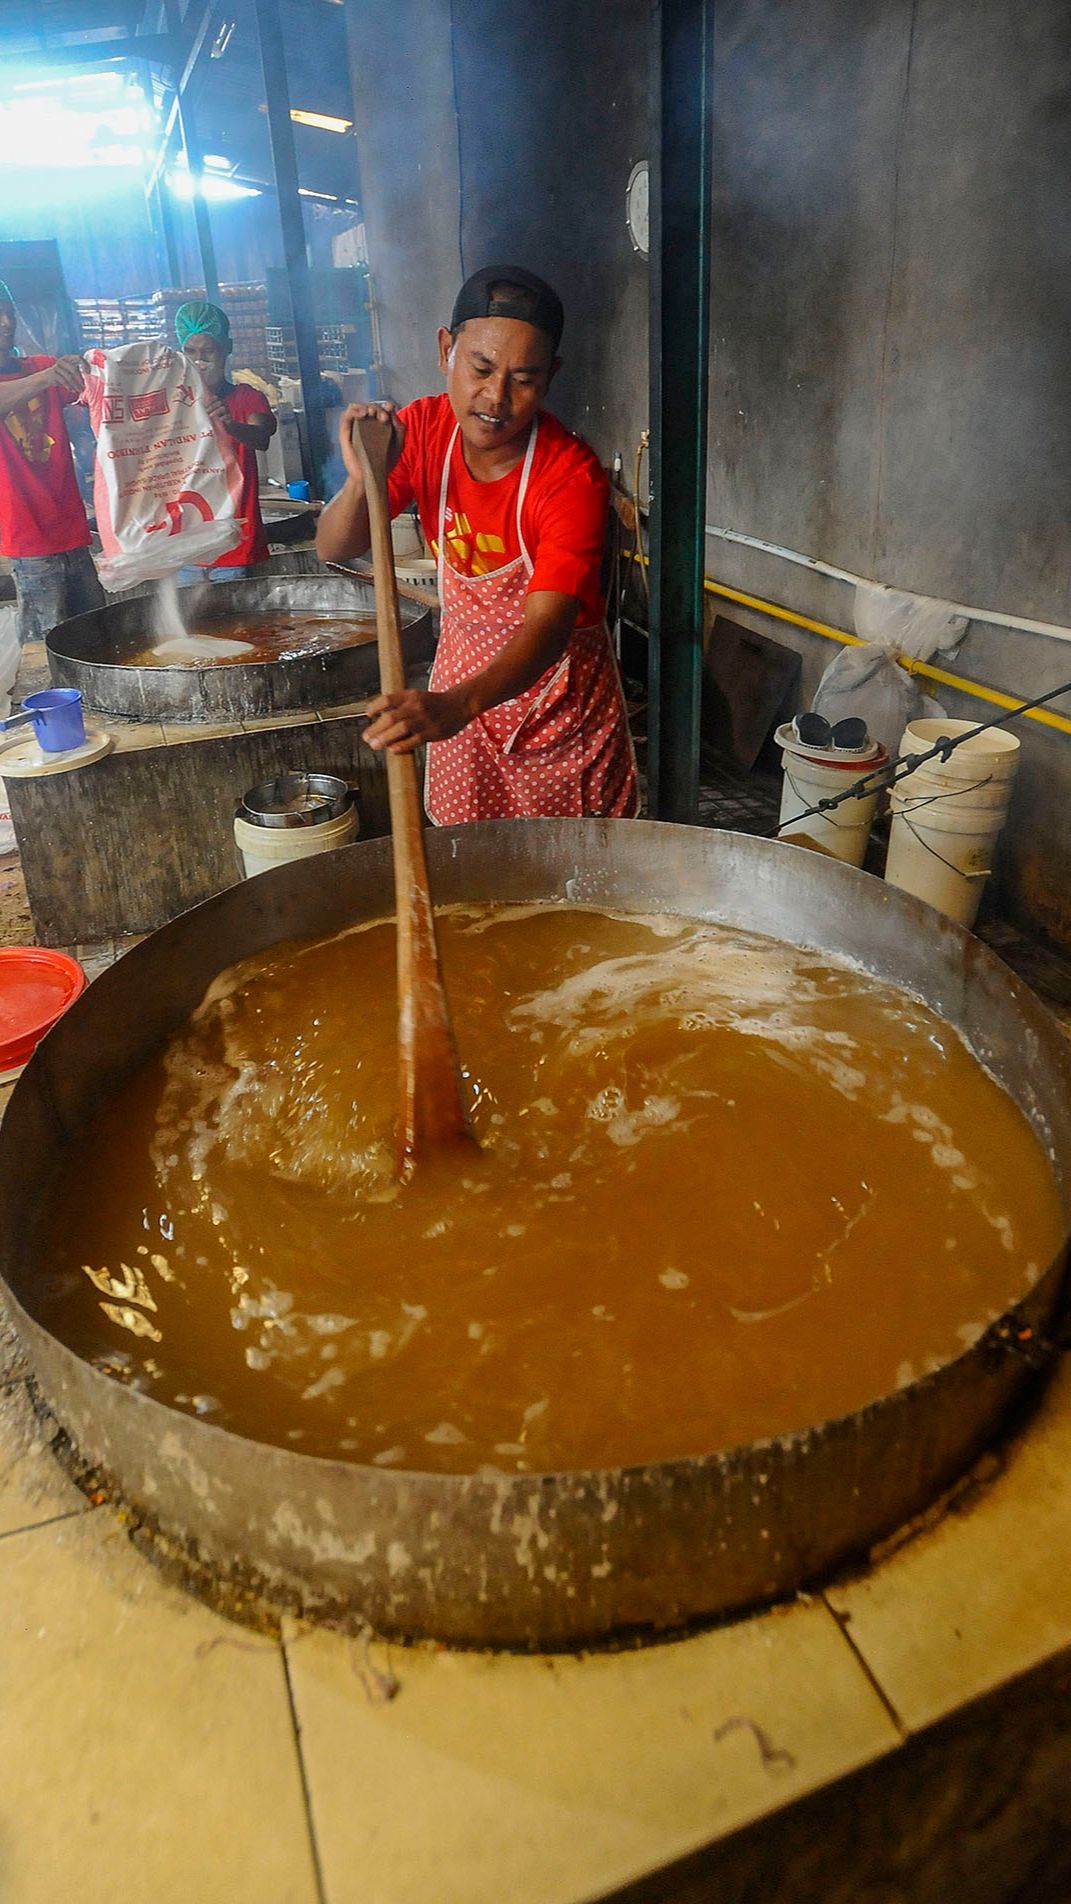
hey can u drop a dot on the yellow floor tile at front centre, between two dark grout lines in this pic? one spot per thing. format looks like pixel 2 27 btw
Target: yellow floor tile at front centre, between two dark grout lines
pixel 540 1781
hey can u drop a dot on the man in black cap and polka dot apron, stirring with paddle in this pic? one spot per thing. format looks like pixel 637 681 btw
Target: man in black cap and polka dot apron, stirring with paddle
pixel 525 705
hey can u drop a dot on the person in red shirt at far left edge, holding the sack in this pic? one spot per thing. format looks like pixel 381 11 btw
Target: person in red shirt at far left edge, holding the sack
pixel 43 521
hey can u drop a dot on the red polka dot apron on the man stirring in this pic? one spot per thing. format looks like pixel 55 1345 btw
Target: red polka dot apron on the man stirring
pixel 563 747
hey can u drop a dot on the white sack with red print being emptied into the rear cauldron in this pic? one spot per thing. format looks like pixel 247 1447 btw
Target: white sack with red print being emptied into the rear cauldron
pixel 167 483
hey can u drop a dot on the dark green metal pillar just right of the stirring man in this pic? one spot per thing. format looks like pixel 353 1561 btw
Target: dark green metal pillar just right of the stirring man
pixel 681 184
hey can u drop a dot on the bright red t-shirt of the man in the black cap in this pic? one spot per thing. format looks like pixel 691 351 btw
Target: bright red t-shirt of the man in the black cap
pixel 563 515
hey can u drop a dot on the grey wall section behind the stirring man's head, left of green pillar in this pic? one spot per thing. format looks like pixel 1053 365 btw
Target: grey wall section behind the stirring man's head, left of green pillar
pixel 508 140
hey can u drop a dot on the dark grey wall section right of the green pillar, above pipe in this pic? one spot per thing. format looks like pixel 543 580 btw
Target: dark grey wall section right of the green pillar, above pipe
pixel 893 288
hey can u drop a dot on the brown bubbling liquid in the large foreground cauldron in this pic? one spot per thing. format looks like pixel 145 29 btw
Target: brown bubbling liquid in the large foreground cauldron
pixel 729 1187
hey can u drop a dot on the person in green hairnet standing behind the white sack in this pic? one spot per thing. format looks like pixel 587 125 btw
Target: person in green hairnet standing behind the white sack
pixel 205 336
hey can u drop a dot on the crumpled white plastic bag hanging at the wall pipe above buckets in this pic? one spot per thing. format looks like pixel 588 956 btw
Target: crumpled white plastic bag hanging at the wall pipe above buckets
pixel 870 683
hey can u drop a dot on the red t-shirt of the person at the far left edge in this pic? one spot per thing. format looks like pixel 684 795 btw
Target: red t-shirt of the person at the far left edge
pixel 41 507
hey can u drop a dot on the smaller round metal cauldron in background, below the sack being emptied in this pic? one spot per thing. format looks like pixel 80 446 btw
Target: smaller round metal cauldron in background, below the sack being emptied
pixel 92 652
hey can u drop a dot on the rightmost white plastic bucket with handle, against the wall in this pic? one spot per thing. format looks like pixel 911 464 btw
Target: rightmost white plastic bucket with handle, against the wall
pixel 948 816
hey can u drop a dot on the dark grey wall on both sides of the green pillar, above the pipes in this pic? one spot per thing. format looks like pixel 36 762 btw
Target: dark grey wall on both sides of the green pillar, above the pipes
pixel 891 376
